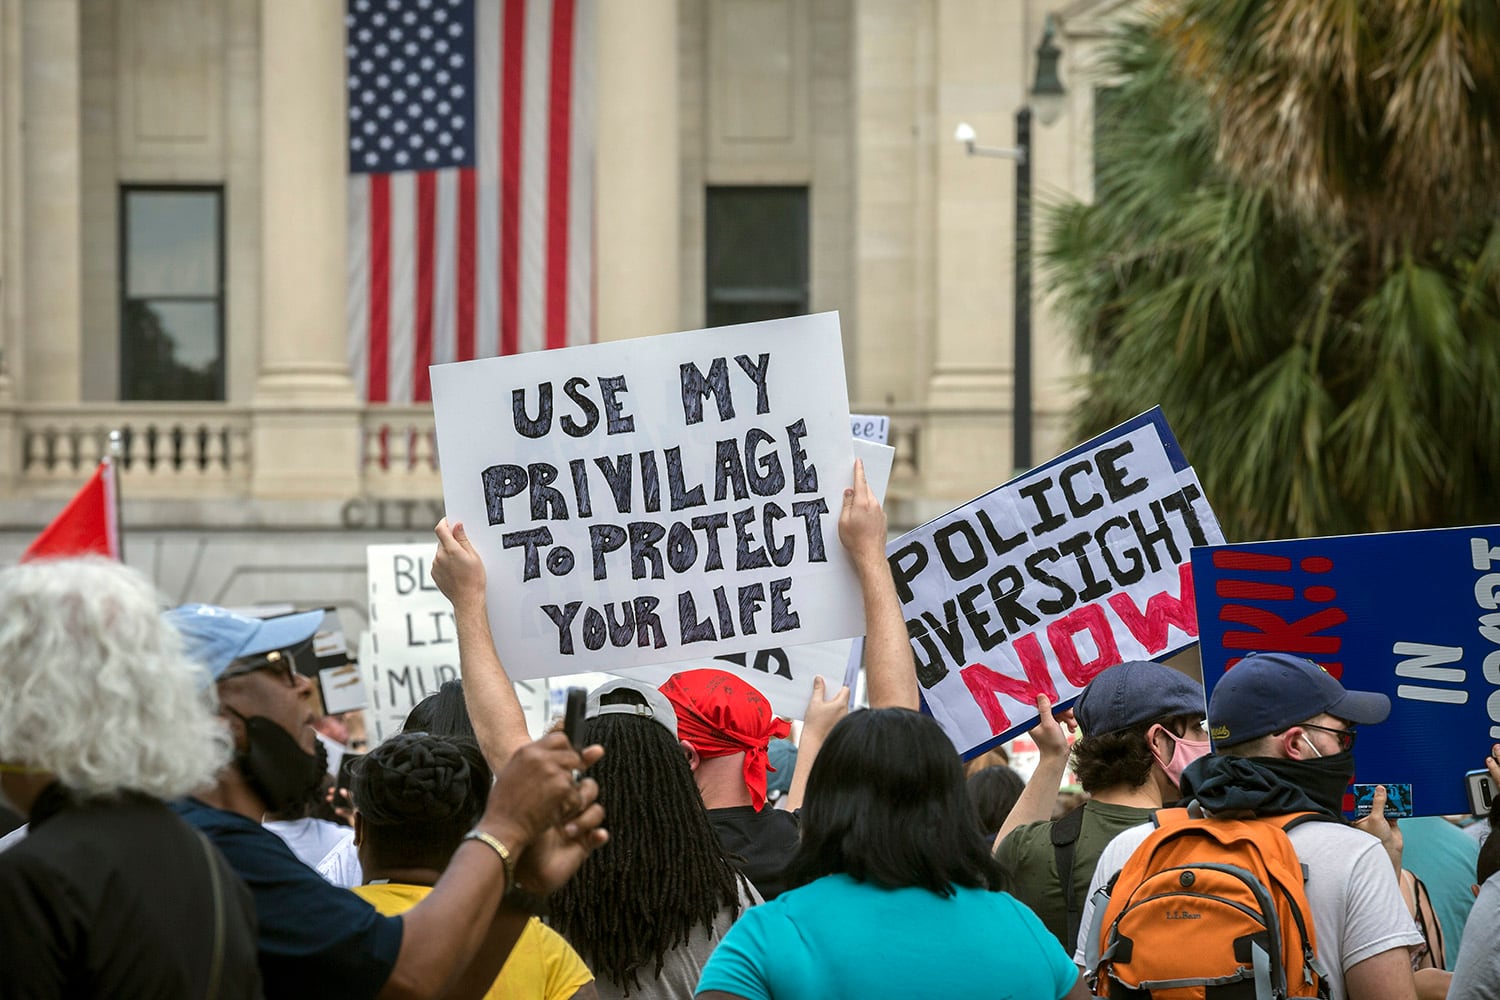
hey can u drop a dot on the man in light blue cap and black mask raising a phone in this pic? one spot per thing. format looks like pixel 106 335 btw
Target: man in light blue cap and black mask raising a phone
pixel 316 939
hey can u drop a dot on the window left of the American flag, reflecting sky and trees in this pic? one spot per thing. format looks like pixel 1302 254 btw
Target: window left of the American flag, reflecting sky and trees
pixel 172 304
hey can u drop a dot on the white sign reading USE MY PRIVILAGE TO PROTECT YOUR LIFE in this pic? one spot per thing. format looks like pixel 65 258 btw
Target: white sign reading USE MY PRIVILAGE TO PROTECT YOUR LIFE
pixel 655 500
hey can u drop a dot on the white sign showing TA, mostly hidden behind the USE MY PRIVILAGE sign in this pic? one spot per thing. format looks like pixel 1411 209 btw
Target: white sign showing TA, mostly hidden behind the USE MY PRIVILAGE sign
pixel 785 674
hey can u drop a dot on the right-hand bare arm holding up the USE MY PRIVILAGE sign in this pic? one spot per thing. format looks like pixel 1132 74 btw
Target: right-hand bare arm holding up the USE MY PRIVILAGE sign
pixel 890 669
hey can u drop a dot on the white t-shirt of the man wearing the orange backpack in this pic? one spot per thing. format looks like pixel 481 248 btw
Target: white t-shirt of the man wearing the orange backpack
pixel 1357 903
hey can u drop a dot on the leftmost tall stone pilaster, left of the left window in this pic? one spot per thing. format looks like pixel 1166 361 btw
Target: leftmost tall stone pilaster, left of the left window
pixel 52 172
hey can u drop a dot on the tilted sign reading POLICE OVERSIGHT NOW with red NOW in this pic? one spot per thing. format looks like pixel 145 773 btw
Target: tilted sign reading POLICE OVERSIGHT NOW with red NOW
pixel 1046 581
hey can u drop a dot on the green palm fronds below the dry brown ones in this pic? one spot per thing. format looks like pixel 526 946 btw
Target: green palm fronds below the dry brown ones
pixel 1324 371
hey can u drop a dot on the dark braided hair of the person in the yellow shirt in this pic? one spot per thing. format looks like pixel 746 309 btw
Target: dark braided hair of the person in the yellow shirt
pixel 418 795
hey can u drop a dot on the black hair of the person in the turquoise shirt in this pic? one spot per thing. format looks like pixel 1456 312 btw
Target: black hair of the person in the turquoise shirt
pixel 887 804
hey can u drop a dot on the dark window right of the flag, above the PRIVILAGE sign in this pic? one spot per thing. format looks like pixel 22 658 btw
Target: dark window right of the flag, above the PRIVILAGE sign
pixel 757 247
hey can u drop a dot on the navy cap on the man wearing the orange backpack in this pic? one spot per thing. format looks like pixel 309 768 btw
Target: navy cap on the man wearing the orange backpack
pixel 1270 692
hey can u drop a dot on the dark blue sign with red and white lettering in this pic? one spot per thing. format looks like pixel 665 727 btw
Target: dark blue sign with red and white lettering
pixel 1414 615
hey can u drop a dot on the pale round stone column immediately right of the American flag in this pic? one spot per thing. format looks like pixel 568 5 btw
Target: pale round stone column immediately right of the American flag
pixel 638 170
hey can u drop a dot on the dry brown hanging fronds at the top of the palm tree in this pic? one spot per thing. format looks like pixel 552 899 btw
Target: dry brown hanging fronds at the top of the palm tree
pixel 1382 116
